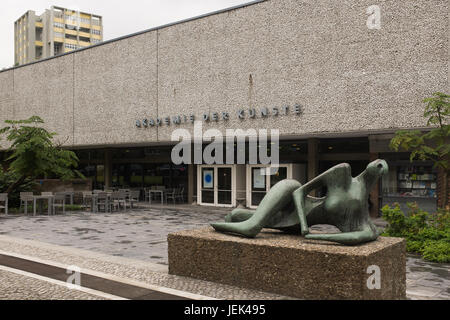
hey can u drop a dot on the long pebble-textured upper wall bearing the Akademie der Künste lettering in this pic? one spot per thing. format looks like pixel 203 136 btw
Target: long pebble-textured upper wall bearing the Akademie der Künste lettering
pixel 318 53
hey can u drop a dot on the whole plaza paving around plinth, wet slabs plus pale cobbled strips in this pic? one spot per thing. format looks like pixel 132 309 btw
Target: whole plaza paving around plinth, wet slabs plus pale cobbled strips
pixel 133 245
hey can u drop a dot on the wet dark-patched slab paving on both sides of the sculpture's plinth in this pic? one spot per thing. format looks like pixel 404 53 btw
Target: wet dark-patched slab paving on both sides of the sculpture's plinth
pixel 141 234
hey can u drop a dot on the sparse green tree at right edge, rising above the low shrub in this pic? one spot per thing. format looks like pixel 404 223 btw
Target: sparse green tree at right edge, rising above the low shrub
pixel 433 145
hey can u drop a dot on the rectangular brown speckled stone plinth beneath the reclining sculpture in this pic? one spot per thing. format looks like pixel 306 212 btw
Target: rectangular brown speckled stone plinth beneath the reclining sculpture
pixel 290 265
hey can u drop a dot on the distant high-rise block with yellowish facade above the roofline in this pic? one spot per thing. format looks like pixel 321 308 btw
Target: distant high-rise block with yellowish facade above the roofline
pixel 57 31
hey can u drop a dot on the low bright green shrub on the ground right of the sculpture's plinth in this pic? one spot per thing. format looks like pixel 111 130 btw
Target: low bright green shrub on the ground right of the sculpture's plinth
pixel 426 234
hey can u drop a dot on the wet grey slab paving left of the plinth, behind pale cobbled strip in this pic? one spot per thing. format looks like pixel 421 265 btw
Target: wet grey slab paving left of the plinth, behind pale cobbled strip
pixel 141 234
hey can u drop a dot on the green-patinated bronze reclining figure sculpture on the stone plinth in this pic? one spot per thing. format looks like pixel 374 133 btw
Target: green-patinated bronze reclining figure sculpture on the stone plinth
pixel 288 207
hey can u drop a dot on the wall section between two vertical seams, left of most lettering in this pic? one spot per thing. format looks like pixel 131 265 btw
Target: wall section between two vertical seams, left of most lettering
pixel 115 84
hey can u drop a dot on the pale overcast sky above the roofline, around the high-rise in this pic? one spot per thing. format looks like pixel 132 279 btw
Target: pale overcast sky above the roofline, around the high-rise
pixel 120 17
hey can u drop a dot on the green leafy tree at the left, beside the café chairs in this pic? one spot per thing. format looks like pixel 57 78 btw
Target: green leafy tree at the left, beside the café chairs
pixel 33 154
